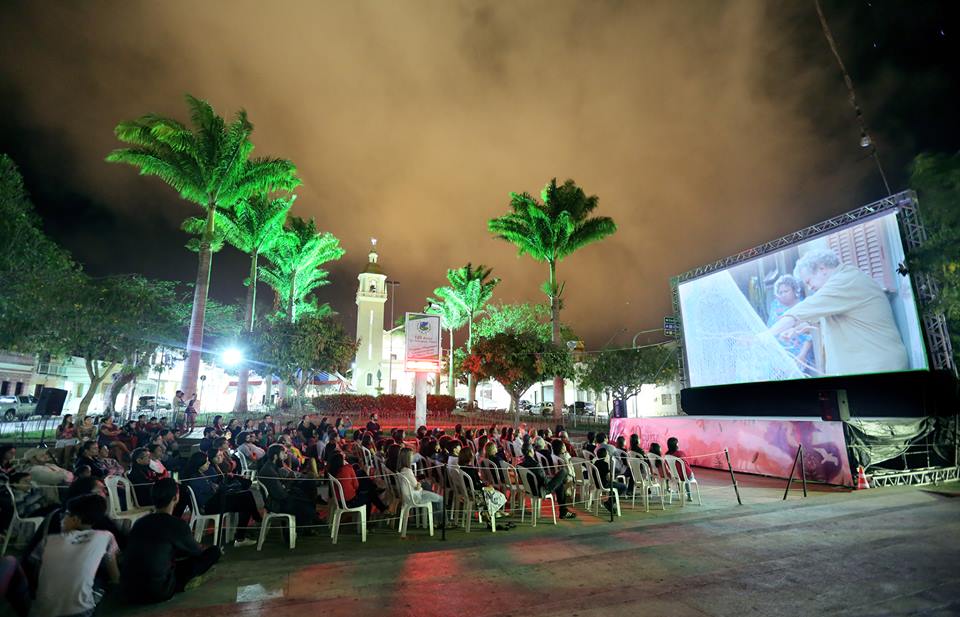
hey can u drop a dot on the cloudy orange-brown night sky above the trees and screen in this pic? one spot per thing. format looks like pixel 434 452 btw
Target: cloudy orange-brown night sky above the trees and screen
pixel 704 127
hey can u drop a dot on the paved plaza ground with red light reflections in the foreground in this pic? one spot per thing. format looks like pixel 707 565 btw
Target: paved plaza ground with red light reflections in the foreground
pixel 880 552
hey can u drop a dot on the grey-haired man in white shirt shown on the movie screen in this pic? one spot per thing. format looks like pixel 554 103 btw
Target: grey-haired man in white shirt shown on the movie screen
pixel 859 333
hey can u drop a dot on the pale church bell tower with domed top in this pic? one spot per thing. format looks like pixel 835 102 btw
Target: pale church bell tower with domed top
pixel 371 297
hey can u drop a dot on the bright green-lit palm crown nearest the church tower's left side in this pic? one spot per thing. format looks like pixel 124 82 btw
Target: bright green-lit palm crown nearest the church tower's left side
pixel 295 269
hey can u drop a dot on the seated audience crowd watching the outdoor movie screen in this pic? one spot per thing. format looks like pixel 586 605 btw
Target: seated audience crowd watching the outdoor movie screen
pixel 78 550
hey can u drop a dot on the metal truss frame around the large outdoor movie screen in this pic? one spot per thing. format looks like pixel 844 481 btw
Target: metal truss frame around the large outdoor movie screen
pixel 914 234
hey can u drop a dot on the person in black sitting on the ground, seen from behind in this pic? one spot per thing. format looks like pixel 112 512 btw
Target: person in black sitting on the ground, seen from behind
pixel 162 557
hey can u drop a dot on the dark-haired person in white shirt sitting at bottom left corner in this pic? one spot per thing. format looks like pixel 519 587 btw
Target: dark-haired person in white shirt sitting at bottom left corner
pixel 71 559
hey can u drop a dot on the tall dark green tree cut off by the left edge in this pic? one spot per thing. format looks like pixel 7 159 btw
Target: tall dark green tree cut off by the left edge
pixel 34 271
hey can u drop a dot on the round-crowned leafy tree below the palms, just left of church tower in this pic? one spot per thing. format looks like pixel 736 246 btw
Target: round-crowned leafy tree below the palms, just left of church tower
pixel 298 351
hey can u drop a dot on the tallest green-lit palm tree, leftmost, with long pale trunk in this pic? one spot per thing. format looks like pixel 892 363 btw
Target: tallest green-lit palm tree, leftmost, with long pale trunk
pixel 208 164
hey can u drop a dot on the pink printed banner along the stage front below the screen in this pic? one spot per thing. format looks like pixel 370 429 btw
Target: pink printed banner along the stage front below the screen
pixel 761 446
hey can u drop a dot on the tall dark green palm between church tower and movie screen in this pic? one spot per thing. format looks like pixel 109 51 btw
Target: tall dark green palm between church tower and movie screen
pixel 550 231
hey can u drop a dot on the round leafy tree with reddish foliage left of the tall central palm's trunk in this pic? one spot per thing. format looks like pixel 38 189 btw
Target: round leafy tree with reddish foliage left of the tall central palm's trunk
pixel 517 360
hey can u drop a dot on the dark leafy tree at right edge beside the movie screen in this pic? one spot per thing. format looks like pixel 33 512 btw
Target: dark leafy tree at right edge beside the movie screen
pixel 936 178
